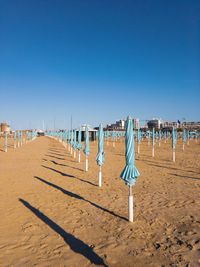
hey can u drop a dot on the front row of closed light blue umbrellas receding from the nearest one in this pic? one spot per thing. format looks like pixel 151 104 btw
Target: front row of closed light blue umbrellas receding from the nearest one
pixel 129 173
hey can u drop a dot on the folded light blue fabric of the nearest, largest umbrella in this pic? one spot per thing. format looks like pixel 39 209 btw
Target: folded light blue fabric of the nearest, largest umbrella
pixel 130 172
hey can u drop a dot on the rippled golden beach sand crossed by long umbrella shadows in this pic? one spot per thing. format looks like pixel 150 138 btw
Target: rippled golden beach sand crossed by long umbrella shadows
pixel 54 214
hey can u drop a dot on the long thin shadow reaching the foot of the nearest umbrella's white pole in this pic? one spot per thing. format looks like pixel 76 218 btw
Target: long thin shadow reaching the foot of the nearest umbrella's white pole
pixel 70 194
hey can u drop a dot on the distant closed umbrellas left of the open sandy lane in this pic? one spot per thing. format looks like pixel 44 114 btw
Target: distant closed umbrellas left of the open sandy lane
pixel 19 138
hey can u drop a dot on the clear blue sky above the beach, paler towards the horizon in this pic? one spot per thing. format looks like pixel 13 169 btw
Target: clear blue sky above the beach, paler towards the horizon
pixel 98 60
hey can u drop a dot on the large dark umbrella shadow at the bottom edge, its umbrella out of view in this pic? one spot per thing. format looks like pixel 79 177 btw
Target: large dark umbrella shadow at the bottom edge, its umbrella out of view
pixel 75 244
